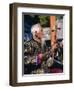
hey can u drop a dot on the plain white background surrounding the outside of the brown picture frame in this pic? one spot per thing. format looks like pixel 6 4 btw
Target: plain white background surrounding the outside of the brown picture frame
pixel 4 45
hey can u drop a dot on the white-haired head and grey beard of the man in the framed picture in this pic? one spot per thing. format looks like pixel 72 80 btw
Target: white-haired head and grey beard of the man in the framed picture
pixel 38 34
